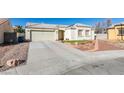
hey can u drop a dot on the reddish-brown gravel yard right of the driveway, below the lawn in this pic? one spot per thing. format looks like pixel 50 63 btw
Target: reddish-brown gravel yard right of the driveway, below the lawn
pixel 102 46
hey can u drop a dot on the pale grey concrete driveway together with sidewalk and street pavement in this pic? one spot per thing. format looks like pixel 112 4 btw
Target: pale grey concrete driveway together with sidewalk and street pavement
pixel 54 58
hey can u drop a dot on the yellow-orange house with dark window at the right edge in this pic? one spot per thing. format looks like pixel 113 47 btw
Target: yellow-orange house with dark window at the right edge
pixel 116 32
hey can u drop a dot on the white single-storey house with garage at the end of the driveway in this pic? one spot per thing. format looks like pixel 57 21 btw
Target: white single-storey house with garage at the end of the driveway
pixel 39 32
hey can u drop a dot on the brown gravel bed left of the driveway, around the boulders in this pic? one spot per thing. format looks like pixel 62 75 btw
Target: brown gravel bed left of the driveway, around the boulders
pixel 8 52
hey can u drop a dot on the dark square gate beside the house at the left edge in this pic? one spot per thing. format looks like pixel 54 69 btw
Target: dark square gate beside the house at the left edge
pixel 10 37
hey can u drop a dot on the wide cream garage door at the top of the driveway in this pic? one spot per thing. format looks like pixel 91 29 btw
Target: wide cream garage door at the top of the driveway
pixel 43 35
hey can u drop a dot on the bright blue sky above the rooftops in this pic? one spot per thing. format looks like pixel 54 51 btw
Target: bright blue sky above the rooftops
pixel 66 21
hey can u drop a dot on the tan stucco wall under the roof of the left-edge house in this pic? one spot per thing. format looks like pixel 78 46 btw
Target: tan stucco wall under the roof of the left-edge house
pixel 5 27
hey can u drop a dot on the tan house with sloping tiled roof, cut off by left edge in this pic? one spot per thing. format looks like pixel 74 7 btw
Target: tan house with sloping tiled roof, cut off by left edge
pixel 5 26
